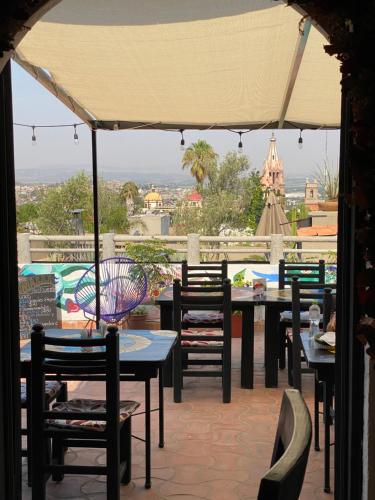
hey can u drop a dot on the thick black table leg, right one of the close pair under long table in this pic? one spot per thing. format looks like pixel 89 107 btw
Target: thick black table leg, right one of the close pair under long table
pixel 271 345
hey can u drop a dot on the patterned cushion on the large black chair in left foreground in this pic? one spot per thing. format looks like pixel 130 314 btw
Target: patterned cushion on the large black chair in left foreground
pixel 127 408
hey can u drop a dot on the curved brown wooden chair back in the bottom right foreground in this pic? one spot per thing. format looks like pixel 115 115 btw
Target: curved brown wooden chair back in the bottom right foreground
pixel 284 479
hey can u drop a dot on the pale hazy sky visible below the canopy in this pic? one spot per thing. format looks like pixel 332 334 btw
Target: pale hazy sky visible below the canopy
pixel 142 151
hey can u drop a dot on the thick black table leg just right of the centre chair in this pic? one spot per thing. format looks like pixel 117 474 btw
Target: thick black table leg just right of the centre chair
pixel 247 348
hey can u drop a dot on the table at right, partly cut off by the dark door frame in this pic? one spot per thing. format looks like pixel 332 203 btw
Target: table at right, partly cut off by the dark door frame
pixel 323 363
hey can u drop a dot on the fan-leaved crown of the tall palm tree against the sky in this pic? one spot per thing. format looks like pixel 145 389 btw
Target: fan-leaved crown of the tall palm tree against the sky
pixel 201 159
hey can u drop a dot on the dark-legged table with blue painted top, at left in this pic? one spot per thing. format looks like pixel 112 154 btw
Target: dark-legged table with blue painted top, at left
pixel 143 355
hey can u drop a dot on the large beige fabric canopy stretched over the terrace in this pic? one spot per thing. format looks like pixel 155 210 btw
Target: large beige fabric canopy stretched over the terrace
pixel 185 64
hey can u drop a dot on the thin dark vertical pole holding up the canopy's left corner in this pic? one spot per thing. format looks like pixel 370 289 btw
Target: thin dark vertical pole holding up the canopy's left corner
pixel 96 223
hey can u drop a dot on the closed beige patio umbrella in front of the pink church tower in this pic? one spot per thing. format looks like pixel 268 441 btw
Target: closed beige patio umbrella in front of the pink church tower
pixel 273 219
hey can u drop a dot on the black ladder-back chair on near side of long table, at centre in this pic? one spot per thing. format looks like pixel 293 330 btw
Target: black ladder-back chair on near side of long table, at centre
pixel 207 341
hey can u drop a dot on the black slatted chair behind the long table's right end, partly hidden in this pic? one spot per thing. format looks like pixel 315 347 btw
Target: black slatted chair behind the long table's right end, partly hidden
pixel 313 272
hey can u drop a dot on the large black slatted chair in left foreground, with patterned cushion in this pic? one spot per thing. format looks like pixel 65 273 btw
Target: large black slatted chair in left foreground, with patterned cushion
pixel 79 422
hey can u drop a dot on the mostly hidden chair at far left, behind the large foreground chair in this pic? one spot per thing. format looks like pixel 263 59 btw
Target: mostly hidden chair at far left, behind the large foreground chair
pixel 54 391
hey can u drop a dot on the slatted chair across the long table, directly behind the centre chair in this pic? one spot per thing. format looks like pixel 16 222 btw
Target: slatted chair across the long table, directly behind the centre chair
pixel 198 275
